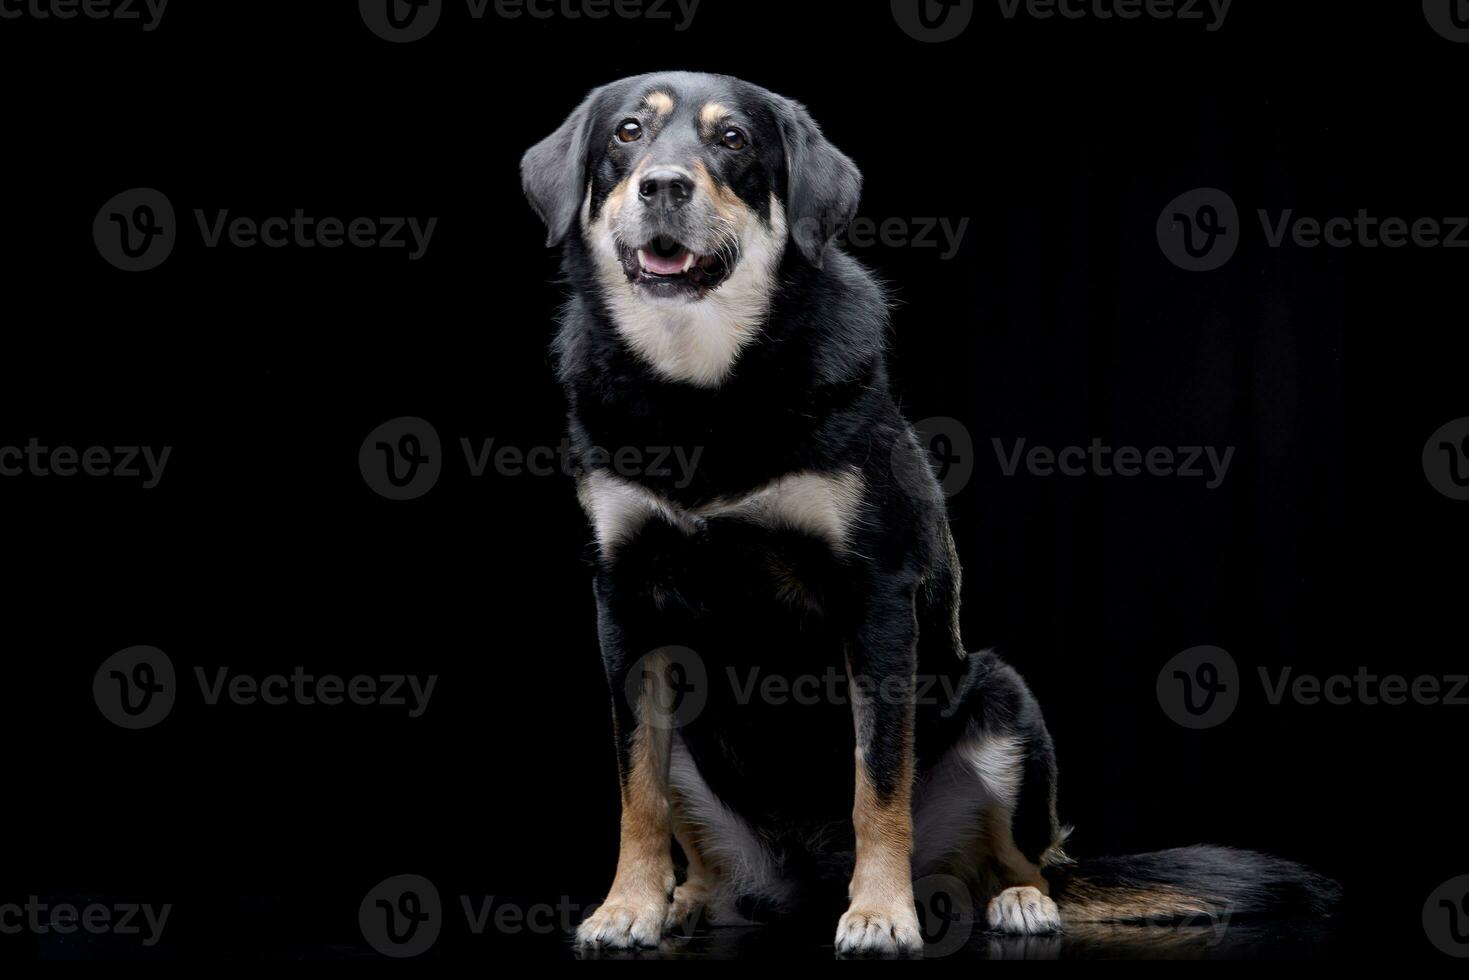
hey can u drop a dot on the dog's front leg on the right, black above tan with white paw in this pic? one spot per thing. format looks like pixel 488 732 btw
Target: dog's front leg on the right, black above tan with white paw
pixel 882 659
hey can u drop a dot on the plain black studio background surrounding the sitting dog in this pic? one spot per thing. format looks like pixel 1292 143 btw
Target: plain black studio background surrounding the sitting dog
pixel 1060 321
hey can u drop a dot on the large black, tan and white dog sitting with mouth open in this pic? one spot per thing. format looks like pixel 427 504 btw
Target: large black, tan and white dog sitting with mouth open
pixel 710 308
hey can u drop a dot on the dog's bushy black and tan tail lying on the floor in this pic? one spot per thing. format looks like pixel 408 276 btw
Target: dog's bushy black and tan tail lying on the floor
pixel 1189 884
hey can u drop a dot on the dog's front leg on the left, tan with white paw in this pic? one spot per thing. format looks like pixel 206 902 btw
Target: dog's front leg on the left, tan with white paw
pixel 637 906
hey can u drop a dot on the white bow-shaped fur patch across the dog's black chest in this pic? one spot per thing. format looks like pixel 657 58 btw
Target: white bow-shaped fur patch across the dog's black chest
pixel 822 505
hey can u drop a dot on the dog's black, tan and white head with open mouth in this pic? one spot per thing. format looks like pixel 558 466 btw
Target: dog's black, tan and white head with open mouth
pixel 687 192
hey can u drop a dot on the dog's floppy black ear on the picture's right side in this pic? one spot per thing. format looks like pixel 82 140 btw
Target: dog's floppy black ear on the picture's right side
pixel 823 186
